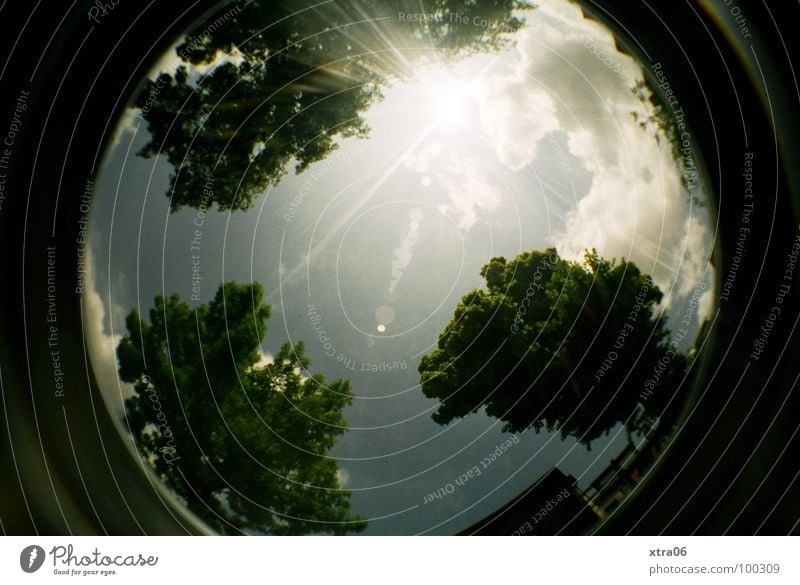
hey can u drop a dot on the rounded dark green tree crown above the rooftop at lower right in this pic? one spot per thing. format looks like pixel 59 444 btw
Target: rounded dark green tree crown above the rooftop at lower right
pixel 557 345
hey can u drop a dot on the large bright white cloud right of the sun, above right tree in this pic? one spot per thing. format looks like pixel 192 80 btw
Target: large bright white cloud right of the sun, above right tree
pixel 568 77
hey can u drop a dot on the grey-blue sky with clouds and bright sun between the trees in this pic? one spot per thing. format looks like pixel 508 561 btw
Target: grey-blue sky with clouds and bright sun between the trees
pixel 375 245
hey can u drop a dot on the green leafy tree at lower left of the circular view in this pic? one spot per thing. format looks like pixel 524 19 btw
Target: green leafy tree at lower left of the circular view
pixel 243 442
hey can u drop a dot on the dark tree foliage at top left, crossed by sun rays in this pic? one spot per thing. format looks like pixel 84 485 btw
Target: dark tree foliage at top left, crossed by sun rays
pixel 286 81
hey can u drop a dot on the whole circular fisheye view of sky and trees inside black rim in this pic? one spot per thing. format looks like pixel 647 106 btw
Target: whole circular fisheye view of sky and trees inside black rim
pixel 354 267
